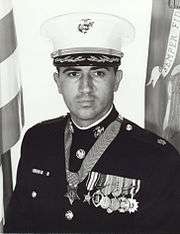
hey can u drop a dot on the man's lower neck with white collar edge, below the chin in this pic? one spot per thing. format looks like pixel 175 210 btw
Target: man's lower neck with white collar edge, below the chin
pixel 89 124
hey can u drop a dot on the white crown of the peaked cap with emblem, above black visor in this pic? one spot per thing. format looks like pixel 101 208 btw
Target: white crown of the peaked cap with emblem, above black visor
pixel 88 32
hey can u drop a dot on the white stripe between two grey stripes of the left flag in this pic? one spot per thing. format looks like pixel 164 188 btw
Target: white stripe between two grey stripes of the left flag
pixel 9 79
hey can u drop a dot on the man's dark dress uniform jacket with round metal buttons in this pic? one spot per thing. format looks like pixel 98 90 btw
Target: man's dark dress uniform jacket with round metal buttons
pixel 38 203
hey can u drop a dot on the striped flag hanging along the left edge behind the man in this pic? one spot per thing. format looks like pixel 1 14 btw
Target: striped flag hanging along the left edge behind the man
pixel 11 107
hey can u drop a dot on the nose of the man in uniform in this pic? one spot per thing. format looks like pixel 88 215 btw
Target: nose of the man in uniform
pixel 85 84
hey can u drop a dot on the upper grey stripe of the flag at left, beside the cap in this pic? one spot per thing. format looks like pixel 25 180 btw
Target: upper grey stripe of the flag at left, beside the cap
pixel 8 40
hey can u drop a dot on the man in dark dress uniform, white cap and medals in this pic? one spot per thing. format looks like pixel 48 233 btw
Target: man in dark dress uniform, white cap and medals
pixel 93 170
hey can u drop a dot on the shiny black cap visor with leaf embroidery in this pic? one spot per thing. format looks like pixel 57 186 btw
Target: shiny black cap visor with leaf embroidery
pixel 86 60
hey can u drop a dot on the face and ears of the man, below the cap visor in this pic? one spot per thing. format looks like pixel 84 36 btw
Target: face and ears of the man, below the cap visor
pixel 88 91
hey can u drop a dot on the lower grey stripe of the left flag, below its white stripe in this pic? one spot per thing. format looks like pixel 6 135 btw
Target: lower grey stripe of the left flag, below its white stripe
pixel 11 122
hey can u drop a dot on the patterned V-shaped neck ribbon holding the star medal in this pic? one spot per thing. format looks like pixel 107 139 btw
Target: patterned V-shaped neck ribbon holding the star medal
pixel 93 155
